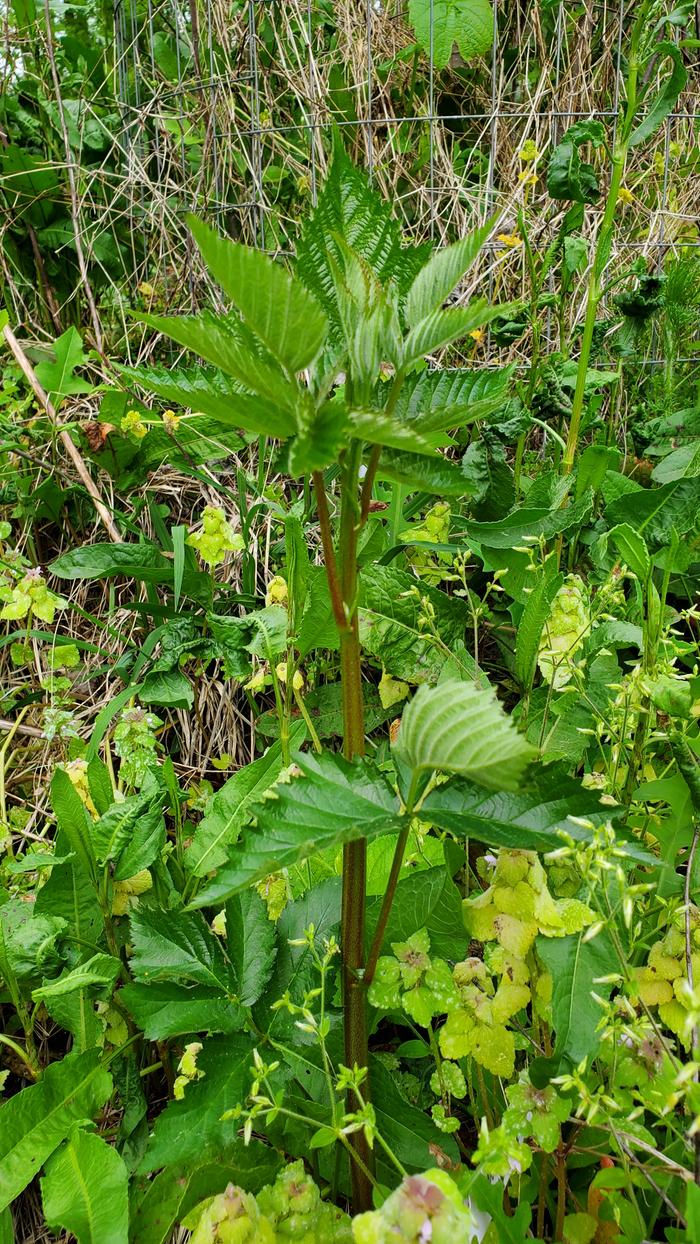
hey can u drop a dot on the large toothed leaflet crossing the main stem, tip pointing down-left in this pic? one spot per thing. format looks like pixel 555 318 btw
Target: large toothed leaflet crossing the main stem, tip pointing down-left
pixel 330 803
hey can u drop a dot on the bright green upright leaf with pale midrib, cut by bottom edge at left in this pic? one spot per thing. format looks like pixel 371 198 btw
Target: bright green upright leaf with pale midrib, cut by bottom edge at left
pixel 85 1191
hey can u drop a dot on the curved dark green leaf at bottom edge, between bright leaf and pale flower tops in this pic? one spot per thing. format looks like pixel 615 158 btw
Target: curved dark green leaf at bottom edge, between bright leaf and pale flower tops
pixel 171 1196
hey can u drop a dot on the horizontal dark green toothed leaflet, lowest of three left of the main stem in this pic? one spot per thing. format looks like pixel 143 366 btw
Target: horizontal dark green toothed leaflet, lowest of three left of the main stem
pixel 163 1010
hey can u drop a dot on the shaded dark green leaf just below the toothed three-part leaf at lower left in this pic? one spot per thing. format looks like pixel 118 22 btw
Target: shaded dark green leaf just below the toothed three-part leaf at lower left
pixel 192 1126
